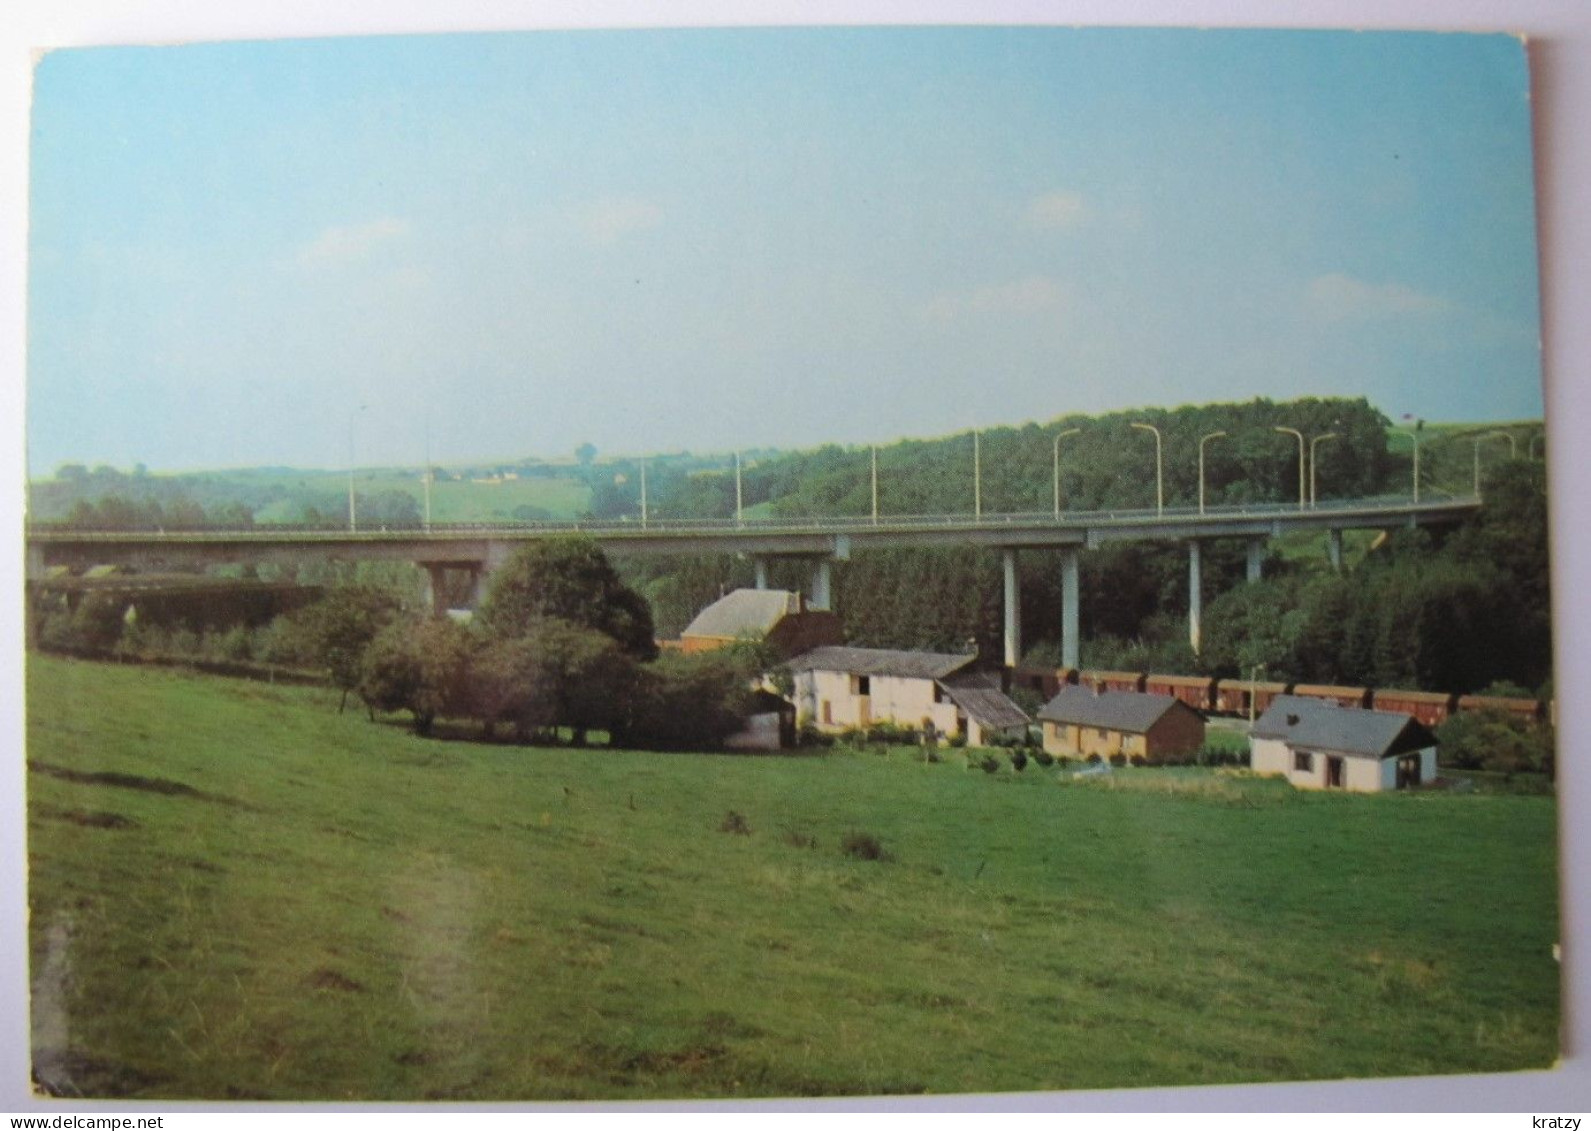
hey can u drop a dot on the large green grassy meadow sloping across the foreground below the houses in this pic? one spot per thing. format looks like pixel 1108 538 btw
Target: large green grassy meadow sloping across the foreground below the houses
pixel 239 893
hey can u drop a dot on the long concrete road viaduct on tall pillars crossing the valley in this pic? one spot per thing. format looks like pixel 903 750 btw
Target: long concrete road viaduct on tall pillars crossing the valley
pixel 480 550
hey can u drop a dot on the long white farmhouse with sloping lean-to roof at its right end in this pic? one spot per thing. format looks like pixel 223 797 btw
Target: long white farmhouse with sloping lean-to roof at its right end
pixel 841 688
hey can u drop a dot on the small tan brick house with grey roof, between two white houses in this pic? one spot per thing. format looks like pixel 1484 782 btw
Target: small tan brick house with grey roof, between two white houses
pixel 1083 721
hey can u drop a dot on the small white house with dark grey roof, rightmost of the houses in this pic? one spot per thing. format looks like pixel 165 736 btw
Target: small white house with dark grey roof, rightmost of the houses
pixel 1323 747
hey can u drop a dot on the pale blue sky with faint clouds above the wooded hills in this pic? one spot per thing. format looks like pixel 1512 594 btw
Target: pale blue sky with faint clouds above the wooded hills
pixel 489 247
